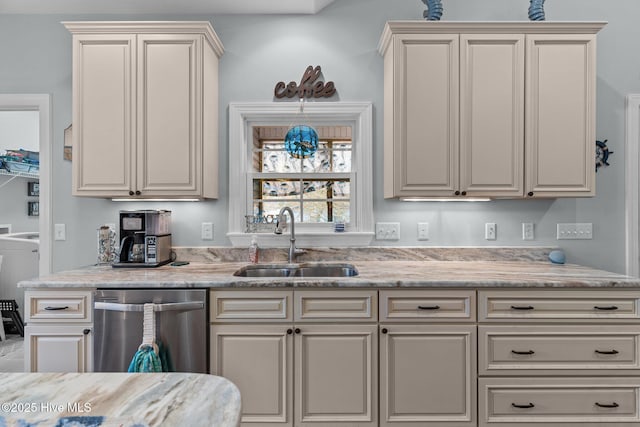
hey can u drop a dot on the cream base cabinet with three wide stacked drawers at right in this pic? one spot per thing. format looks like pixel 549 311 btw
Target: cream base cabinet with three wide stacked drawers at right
pixel 558 358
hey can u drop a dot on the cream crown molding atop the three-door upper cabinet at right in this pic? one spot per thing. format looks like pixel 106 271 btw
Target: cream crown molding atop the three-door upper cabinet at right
pixel 474 27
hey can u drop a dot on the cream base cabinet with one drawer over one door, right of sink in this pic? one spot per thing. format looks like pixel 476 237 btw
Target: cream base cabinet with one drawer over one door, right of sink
pixel 427 361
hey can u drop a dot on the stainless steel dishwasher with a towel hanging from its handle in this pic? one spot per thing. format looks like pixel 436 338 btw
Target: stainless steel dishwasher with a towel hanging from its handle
pixel 181 327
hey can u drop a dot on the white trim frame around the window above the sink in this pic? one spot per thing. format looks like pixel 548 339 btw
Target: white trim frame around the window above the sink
pixel 359 115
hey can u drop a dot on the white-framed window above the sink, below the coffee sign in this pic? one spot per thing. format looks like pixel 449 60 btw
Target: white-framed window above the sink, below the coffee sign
pixel 332 185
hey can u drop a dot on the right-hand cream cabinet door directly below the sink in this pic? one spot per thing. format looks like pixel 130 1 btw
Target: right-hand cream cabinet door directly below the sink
pixel 336 375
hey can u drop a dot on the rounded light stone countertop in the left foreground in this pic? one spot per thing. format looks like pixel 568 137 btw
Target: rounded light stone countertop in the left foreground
pixel 118 399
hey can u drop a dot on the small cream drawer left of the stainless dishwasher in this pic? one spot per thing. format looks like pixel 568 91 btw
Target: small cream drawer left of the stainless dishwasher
pixel 58 306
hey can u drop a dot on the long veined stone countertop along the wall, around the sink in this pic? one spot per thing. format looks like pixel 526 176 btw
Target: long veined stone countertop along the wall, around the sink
pixel 377 274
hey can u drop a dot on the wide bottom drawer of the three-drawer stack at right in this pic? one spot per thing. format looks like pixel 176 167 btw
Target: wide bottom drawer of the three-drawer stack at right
pixel 558 401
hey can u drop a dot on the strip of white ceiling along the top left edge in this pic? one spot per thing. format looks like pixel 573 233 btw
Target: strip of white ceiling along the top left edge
pixel 162 6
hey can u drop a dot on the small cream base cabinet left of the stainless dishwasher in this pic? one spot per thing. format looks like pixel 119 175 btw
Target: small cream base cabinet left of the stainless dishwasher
pixel 58 332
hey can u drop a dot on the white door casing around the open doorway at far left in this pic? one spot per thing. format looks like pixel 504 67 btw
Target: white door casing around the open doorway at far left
pixel 41 103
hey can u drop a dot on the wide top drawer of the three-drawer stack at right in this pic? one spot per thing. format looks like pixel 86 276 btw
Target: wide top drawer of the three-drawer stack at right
pixel 541 306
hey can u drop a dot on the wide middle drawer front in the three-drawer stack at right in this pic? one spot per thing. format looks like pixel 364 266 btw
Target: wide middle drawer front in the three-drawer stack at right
pixel 505 349
